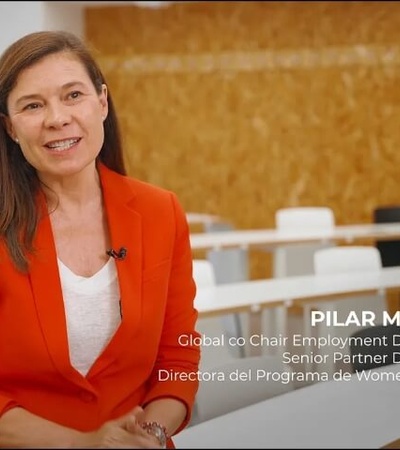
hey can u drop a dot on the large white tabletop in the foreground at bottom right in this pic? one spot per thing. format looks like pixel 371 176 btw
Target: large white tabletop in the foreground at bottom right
pixel 332 414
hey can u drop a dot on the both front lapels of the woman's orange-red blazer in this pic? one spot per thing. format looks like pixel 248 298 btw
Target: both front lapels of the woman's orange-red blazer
pixel 125 231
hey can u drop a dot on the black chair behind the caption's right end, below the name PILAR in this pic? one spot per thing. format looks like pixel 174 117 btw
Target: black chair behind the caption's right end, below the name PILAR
pixel 385 348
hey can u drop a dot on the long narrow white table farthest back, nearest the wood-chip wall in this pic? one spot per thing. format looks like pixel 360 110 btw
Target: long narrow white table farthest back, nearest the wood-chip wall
pixel 273 238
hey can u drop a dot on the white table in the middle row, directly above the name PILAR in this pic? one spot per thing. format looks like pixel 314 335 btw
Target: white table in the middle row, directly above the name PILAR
pixel 255 295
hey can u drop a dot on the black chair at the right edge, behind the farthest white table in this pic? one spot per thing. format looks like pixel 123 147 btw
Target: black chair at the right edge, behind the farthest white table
pixel 389 250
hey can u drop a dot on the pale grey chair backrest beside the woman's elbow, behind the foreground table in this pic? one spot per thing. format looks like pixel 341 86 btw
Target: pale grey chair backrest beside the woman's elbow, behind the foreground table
pixel 219 396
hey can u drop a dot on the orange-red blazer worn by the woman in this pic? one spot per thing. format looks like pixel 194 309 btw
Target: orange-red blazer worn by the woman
pixel 157 292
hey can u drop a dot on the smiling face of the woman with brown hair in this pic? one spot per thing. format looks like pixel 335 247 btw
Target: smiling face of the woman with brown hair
pixel 57 116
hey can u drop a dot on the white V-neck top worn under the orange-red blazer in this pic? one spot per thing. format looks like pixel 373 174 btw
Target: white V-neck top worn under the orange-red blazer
pixel 92 310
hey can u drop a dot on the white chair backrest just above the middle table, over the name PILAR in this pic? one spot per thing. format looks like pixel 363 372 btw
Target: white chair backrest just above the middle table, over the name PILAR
pixel 343 259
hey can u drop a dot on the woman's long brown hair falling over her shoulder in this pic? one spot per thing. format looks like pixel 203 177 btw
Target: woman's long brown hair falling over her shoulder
pixel 19 183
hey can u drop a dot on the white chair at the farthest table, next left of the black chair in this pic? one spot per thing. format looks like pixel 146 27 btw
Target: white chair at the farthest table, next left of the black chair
pixel 298 259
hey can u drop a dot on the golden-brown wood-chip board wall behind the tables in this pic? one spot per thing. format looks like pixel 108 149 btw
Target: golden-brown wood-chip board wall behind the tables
pixel 245 107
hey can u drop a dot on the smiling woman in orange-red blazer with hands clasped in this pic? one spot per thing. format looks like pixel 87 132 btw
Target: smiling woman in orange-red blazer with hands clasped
pixel 95 267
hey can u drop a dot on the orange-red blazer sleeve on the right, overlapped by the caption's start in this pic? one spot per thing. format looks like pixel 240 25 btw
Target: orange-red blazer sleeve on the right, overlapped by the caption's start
pixel 178 363
